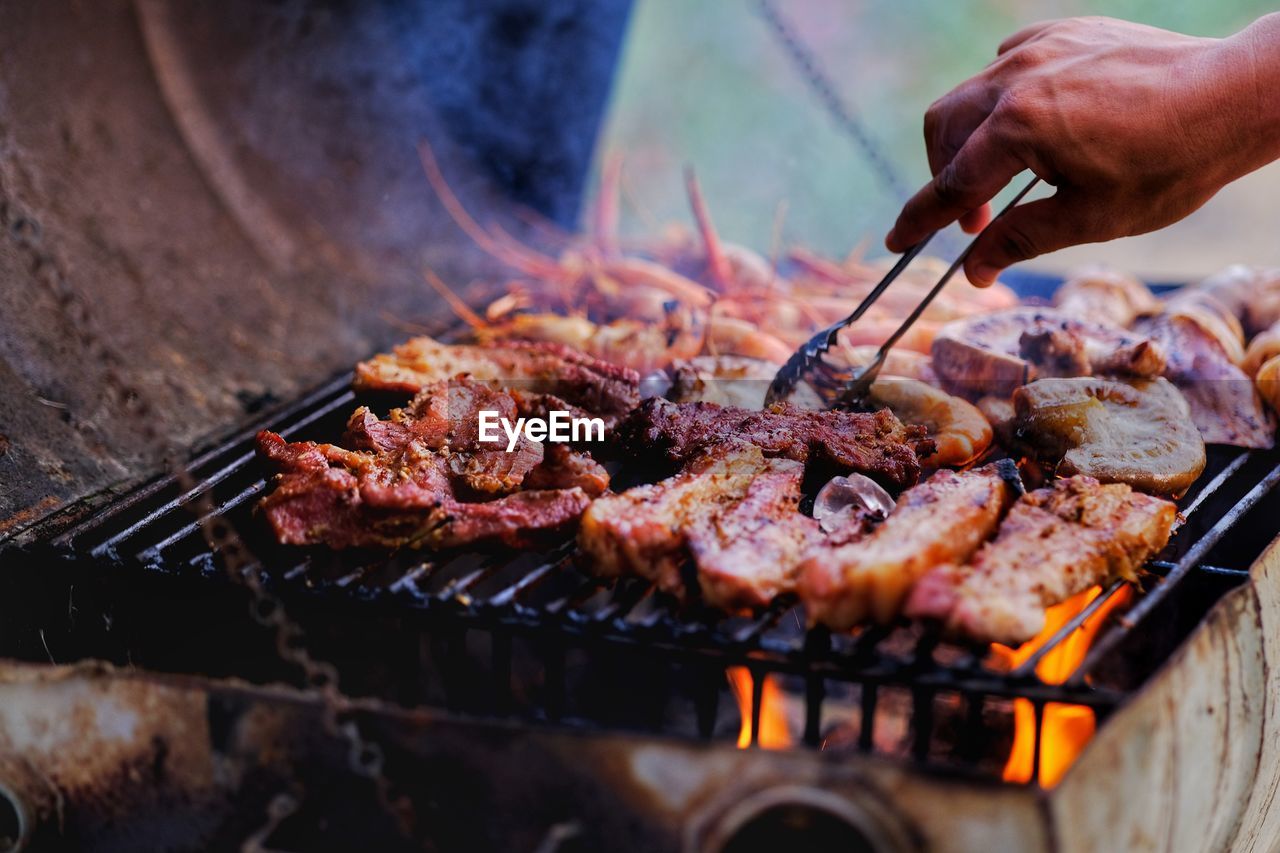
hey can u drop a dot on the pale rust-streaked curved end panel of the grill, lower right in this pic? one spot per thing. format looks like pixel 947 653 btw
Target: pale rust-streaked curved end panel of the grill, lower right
pixel 1194 763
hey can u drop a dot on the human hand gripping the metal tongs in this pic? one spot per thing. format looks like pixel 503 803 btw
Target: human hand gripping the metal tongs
pixel 1135 126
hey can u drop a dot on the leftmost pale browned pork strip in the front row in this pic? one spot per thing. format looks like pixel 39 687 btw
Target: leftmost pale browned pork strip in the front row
pixel 643 531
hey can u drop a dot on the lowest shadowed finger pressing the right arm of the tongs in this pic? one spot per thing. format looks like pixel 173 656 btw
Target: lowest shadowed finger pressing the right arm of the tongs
pixel 1026 232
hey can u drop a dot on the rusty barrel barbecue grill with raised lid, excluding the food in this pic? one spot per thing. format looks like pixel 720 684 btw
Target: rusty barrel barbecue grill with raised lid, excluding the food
pixel 200 687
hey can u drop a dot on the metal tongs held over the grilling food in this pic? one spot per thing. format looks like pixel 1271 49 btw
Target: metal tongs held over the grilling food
pixel 839 386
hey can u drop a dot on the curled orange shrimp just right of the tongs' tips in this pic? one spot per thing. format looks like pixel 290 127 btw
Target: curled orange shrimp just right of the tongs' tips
pixel 958 430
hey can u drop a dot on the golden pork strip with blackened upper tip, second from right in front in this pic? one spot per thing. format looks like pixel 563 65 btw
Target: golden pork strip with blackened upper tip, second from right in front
pixel 940 522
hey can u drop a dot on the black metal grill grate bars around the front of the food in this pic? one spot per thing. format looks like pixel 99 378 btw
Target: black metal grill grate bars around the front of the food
pixel 545 599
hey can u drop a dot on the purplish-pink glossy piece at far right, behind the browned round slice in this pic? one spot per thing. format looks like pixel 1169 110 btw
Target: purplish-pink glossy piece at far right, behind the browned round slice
pixel 1224 402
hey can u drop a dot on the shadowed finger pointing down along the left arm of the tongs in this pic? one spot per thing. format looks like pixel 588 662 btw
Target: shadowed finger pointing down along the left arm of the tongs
pixel 984 167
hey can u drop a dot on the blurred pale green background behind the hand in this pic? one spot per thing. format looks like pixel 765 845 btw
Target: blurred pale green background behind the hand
pixel 708 84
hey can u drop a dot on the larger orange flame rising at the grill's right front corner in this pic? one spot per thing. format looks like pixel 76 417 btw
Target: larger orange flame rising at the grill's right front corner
pixel 1067 728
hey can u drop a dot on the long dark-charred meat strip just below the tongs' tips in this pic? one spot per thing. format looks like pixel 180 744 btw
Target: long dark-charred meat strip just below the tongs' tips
pixel 836 443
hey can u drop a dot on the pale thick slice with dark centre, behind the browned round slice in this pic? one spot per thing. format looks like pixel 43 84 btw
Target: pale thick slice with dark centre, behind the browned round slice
pixel 998 353
